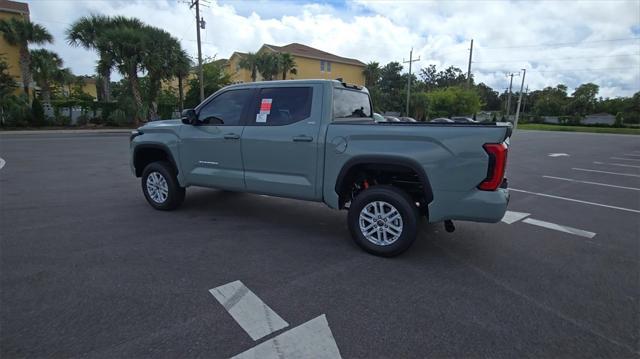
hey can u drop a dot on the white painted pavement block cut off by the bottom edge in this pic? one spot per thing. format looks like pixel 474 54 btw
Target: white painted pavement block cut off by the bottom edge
pixel 312 339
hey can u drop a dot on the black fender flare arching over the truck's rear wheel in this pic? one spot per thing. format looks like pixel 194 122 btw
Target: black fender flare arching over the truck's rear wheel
pixel 387 160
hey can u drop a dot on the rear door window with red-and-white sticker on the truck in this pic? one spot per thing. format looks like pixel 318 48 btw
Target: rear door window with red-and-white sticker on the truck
pixel 280 106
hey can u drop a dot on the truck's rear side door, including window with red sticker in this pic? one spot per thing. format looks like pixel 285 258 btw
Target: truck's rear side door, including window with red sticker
pixel 280 144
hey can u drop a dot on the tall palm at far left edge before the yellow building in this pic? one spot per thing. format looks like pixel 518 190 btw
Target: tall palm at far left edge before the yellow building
pixel 22 33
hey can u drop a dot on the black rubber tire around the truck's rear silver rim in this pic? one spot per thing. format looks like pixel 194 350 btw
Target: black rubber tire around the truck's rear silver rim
pixel 404 206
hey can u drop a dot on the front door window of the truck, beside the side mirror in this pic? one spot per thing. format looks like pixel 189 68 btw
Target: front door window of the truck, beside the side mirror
pixel 226 108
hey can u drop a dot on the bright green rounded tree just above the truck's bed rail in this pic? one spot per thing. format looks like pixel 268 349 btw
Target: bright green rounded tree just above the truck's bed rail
pixel 453 101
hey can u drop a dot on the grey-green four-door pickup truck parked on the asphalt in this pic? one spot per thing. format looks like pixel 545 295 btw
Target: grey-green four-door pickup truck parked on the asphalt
pixel 316 140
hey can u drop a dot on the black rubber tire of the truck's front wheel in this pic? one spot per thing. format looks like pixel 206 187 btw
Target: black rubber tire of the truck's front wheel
pixel 175 194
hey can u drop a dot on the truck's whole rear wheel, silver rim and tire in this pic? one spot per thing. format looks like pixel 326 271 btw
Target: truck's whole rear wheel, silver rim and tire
pixel 383 220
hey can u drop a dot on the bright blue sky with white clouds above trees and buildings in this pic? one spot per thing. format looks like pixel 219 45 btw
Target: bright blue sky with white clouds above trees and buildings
pixel 568 42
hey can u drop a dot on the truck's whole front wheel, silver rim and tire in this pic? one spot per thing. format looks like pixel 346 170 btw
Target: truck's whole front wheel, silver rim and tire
pixel 160 186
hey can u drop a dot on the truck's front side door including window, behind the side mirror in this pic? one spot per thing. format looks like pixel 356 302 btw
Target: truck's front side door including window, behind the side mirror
pixel 210 150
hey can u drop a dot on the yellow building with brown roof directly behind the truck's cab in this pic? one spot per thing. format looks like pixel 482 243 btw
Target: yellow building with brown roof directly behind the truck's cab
pixel 311 63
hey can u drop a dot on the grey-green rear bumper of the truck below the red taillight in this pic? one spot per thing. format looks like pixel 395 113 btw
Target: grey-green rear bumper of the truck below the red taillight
pixel 475 205
